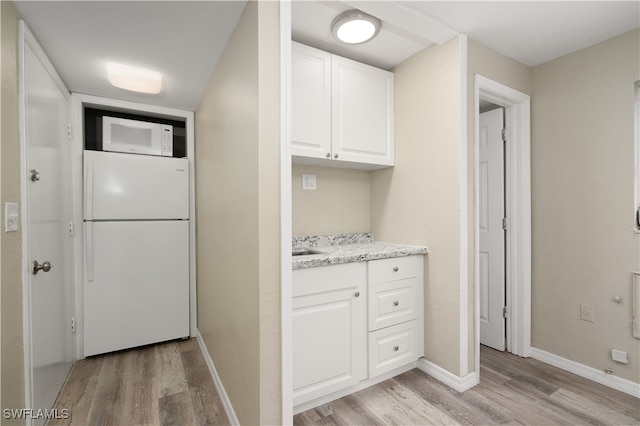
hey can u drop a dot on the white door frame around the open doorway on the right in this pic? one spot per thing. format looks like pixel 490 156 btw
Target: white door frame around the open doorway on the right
pixel 518 212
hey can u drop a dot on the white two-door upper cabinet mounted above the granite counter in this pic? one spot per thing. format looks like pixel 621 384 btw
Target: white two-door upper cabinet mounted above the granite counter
pixel 342 111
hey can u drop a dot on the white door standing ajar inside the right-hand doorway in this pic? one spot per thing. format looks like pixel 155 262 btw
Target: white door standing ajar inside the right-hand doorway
pixel 492 241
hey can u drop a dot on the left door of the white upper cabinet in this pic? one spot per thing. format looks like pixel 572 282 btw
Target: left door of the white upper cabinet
pixel 311 102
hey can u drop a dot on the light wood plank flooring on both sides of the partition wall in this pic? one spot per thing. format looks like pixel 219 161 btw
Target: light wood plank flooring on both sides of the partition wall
pixel 169 384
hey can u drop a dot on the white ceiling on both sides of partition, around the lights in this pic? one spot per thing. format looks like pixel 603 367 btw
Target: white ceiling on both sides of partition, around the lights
pixel 184 39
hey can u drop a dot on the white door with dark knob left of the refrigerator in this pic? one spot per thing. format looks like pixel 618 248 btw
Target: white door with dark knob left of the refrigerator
pixel 48 212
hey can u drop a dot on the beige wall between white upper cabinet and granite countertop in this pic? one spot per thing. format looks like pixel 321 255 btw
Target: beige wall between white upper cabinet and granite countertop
pixel 341 204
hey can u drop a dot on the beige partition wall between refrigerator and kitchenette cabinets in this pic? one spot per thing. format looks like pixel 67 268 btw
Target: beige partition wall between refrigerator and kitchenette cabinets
pixel 238 216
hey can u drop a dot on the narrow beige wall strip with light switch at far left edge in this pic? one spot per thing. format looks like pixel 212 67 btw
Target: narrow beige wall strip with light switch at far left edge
pixel 11 284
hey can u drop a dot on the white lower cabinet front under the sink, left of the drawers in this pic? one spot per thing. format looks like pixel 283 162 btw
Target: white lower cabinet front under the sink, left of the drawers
pixel 329 329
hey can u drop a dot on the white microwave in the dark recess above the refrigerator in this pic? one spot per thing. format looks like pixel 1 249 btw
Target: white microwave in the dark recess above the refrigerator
pixel 136 137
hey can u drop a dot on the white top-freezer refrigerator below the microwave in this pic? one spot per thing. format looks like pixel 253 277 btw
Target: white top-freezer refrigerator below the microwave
pixel 136 230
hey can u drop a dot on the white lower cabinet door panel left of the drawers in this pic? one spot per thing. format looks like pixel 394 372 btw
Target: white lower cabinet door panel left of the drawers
pixel 329 342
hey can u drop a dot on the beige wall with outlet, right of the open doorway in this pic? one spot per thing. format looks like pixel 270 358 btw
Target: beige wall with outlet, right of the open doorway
pixel 584 249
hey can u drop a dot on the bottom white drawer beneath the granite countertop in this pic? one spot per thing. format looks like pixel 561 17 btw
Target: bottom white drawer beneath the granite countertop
pixel 392 347
